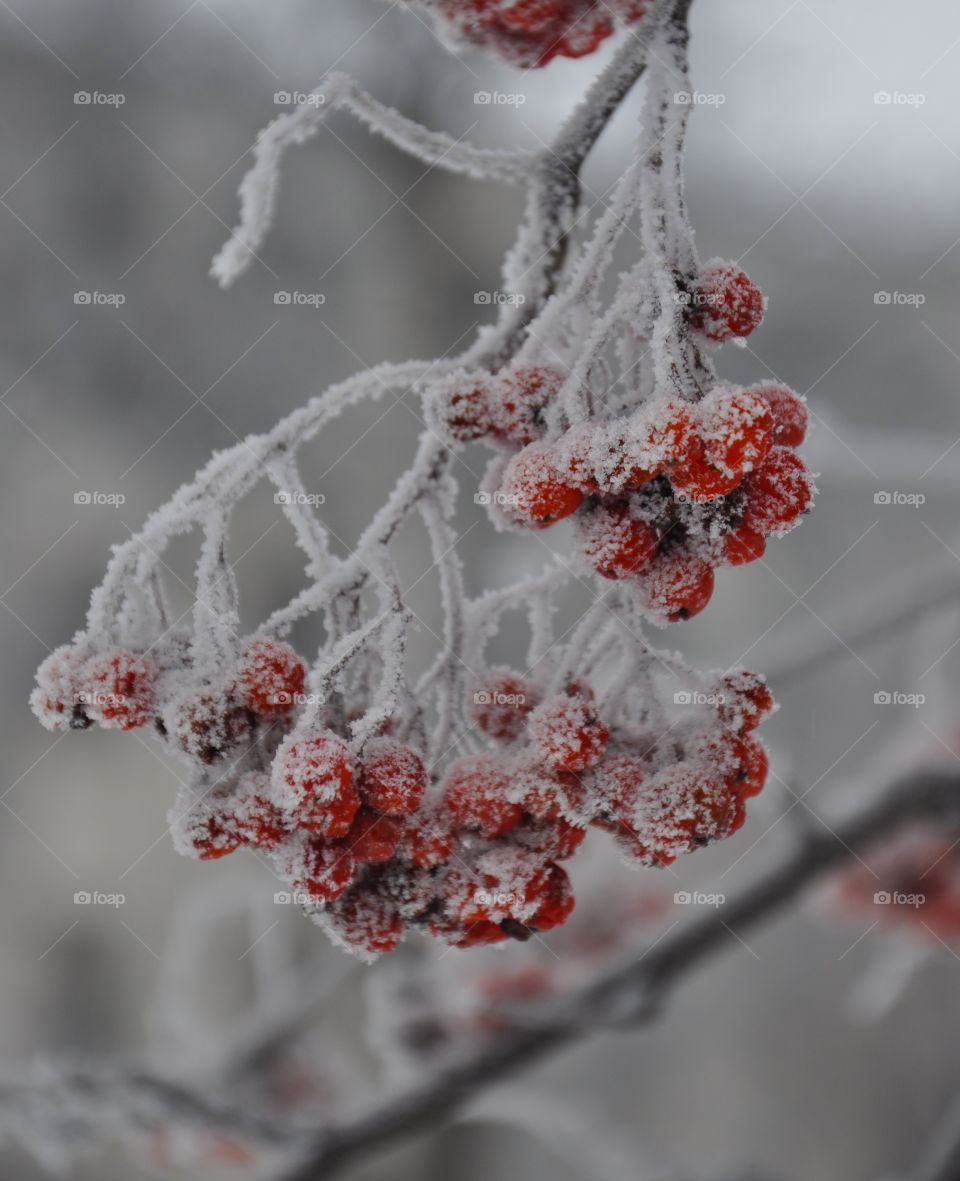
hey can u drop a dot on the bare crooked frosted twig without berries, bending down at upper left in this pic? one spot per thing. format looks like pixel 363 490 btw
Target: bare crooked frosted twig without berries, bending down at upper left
pixel 258 190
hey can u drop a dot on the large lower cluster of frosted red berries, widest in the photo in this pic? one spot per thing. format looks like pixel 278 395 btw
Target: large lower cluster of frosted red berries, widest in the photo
pixel 370 850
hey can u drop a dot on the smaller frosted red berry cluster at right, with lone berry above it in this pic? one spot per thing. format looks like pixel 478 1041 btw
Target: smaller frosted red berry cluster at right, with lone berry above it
pixel 661 497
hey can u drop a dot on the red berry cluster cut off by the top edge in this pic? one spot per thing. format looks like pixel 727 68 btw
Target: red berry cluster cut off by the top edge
pixel 530 34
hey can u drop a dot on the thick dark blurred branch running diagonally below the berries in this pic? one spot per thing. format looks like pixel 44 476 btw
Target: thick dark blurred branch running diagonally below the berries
pixel 631 994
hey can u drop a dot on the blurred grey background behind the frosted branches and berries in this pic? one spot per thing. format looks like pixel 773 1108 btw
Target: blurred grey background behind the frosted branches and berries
pixel 827 162
